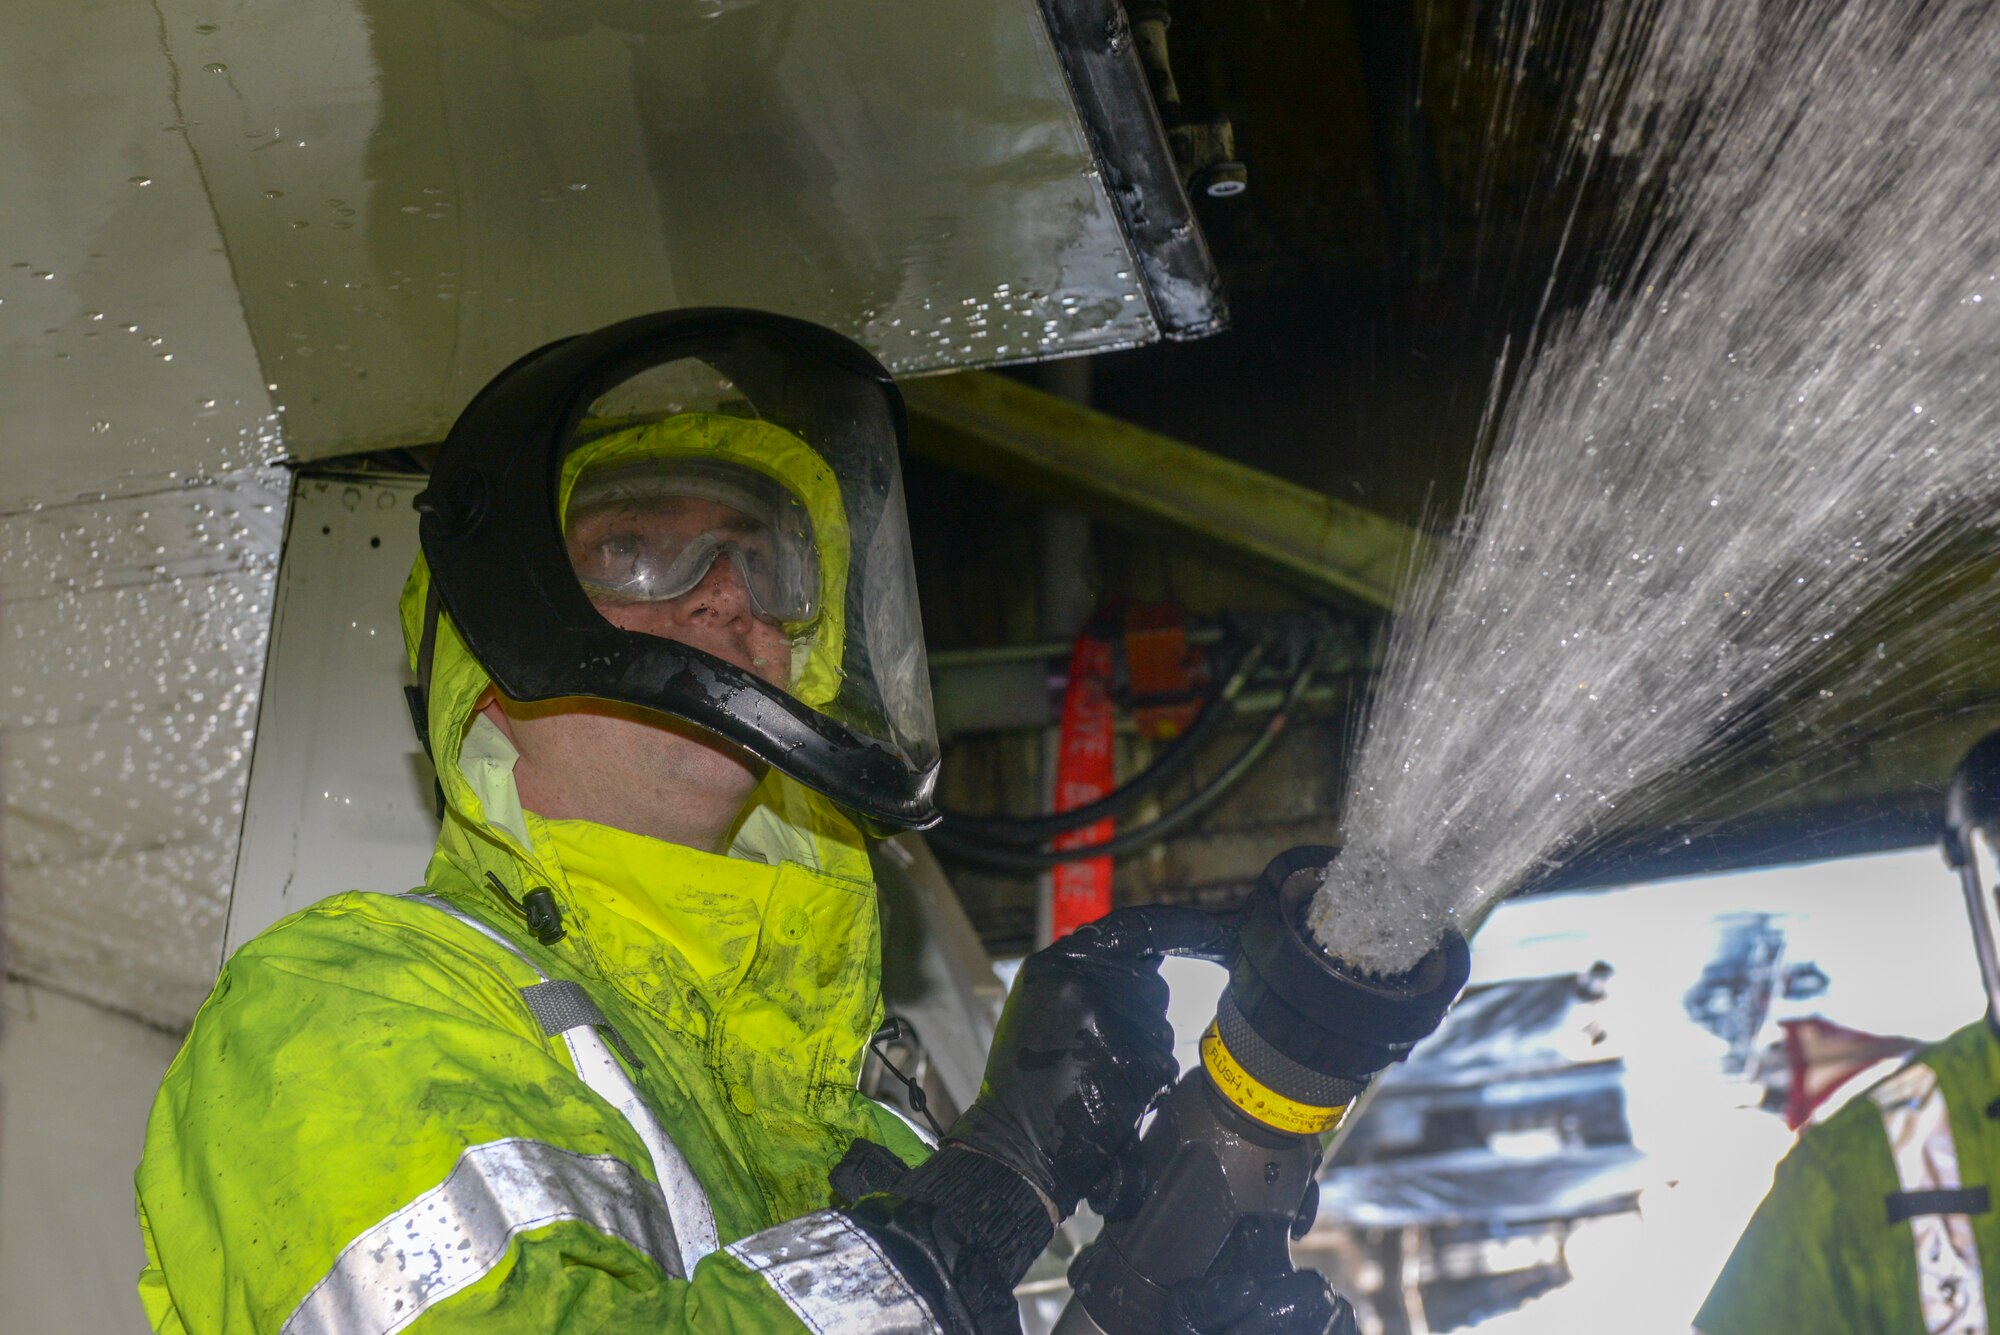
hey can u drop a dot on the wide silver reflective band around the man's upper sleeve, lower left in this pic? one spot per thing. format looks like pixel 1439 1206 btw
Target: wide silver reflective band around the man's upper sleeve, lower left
pixel 457 1232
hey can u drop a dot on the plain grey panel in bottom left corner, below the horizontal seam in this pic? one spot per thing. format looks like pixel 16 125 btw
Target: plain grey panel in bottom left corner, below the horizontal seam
pixel 75 1090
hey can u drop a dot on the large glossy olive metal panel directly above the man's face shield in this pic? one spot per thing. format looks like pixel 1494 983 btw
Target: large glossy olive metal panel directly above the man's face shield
pixel 415 193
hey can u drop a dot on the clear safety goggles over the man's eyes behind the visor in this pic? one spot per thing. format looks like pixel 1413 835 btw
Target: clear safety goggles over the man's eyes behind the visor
pixel 653 533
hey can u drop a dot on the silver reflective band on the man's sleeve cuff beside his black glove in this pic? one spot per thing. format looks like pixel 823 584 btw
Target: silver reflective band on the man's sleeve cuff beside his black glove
pixel 835 1278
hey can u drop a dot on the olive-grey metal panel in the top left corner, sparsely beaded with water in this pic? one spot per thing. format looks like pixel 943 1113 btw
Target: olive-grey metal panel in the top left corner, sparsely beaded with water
pixel 125 361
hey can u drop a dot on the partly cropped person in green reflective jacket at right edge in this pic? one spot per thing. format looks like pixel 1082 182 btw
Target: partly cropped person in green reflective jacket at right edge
pixel 1883 1216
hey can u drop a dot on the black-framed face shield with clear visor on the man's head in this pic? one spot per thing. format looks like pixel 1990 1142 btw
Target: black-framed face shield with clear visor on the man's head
pixel 605 497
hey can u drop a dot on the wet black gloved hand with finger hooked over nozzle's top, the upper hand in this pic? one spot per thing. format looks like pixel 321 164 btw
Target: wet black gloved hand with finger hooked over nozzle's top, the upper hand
pixel 1083 1050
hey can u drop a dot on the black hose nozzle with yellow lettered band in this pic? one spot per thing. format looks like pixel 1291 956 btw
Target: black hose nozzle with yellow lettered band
pixel 1229 1162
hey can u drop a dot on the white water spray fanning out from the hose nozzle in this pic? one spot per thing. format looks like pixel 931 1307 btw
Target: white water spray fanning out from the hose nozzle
pixel 1769 415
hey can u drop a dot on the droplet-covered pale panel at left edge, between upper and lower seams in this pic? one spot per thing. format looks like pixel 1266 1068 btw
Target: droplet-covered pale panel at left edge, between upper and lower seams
pixel 131 647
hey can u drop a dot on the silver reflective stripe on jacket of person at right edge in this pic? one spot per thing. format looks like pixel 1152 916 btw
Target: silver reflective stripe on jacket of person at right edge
pixel 1951 1288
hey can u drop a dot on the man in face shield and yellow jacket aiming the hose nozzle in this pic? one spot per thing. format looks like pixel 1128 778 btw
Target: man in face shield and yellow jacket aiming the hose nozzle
pixel 599 1072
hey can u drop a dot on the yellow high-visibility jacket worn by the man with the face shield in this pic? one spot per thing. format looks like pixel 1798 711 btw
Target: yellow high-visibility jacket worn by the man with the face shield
pixel 407 1114
